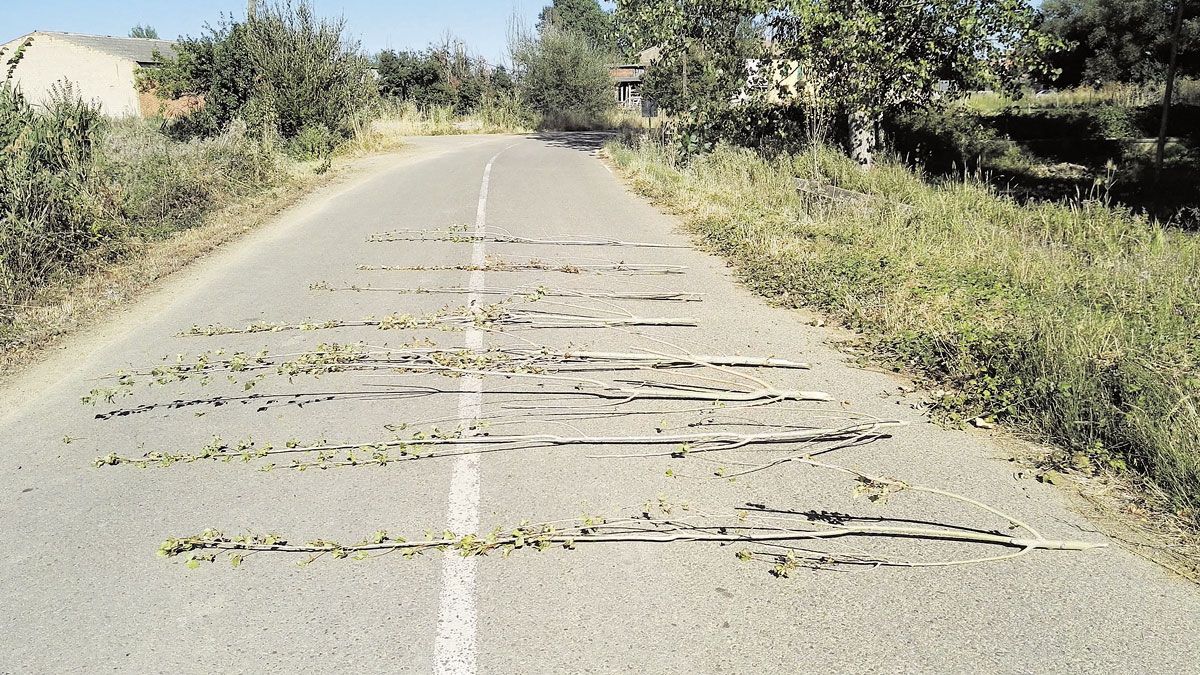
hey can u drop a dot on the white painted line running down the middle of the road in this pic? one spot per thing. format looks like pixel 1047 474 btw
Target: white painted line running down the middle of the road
pixel 454 653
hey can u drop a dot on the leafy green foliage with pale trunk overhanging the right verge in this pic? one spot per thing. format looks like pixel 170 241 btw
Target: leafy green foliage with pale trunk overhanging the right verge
pixel 859 61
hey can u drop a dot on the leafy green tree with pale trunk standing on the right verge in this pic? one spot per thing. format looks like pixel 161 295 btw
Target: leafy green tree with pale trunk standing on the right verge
pixel 866 57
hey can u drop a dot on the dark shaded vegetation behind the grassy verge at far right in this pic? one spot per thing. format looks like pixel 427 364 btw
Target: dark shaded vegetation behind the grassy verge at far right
pixel 1099 142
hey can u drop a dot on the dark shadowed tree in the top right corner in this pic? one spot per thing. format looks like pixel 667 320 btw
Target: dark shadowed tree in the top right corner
pixel 1119 40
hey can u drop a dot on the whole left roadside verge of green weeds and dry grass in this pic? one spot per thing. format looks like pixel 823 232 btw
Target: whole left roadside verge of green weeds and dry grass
pixel 143 206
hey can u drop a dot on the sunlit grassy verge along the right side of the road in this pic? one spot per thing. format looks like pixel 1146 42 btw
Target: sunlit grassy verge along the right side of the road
pixel 1077 324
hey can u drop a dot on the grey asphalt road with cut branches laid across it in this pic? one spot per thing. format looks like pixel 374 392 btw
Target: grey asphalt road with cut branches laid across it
pixel 83 590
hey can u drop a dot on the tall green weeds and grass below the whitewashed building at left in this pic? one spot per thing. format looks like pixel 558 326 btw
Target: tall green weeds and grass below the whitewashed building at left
pixel 79 190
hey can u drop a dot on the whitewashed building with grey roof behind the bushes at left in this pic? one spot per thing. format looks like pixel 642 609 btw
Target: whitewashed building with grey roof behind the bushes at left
pixel 103 69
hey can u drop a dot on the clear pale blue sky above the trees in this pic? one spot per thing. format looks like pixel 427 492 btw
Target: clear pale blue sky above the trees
pixel 379 25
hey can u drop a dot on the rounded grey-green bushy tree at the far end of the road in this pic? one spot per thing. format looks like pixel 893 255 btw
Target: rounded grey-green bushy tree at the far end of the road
pixel 563 76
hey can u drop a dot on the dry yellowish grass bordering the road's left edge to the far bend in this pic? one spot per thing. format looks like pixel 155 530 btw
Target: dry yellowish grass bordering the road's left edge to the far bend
pixel 183 200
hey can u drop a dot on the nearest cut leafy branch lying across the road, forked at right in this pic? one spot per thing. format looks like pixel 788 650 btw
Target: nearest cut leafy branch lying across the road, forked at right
pixel 658 524
